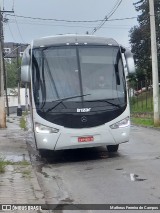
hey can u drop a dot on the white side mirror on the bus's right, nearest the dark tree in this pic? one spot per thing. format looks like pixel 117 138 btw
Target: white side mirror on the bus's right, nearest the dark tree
pixel 129 61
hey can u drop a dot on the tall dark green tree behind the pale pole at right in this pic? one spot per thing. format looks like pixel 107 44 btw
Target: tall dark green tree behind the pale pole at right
pixel 140 38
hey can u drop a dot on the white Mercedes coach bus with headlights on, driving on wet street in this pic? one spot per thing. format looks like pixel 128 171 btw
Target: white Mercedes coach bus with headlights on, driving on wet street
pixel 78 91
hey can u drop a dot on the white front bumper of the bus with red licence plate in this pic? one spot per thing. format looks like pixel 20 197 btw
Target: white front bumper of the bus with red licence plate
pixel 82 138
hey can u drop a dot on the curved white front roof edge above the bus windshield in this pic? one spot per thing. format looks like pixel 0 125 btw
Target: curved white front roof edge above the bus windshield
pixel 71 39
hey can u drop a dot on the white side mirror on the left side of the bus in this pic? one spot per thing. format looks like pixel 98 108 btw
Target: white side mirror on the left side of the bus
pixel 25 67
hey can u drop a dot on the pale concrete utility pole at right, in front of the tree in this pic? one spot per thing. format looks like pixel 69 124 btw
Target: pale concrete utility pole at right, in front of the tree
pixel 156 99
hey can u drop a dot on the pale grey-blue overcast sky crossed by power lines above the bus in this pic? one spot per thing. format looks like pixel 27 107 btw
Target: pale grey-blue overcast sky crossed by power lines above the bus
pixel 24 30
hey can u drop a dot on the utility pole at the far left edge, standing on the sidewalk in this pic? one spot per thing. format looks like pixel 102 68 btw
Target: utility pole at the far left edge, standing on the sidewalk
pixel 2 103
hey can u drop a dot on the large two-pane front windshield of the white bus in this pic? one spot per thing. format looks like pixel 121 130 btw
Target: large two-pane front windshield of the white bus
pixel 66 71
